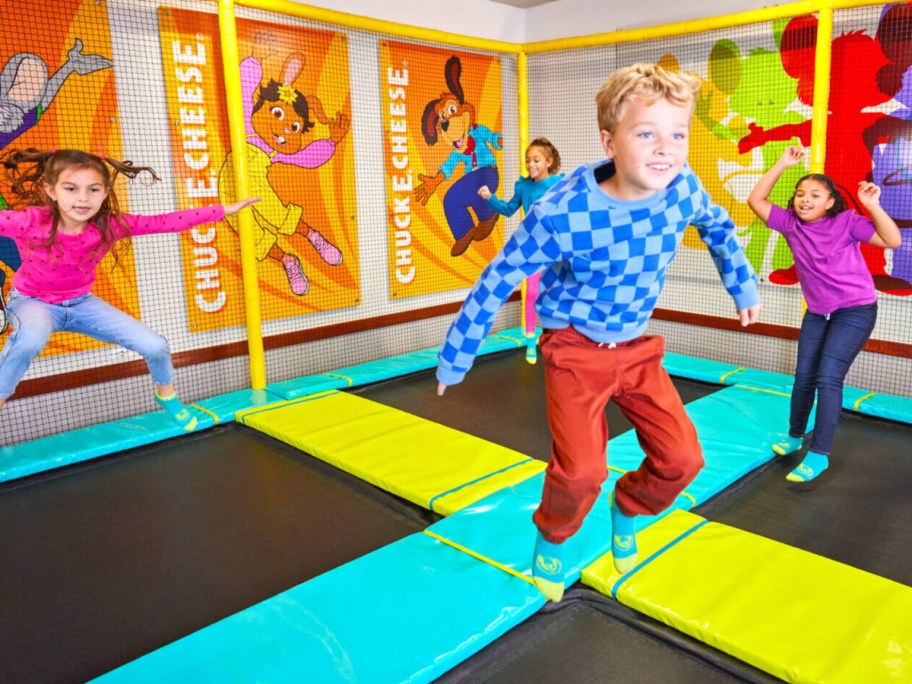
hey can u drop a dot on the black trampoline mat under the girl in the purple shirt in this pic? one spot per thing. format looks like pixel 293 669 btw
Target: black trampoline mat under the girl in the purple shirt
pixel 857 512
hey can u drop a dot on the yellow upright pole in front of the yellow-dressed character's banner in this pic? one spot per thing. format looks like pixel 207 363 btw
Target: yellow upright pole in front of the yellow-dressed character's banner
pixel 232 71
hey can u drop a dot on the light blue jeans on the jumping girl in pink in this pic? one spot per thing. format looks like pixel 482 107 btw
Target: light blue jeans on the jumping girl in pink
pixel 33 321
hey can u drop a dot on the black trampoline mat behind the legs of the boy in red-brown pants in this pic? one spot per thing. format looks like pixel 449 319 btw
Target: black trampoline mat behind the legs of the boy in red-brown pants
pixel 501 400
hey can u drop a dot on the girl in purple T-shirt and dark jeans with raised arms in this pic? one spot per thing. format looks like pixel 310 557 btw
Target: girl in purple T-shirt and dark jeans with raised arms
pixel 839 291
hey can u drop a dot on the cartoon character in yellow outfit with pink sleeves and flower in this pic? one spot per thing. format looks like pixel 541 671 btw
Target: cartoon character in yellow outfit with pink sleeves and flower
pixel 277 119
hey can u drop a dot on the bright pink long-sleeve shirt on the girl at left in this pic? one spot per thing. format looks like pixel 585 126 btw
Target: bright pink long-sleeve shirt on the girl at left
pixel 66 269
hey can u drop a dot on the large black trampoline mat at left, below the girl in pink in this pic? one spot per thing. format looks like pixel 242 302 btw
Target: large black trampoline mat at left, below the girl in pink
pixel 108 560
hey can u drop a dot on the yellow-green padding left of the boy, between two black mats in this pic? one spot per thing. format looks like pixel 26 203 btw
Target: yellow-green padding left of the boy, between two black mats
pixel 426 463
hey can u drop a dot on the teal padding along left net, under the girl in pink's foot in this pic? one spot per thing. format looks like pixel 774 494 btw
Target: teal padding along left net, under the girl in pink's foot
pixel 94 441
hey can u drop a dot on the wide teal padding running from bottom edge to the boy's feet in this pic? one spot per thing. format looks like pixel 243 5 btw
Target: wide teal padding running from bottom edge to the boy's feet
pixel 405 613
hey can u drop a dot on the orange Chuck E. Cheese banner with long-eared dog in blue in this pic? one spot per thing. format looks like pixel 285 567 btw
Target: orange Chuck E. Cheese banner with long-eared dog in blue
pixel 442 115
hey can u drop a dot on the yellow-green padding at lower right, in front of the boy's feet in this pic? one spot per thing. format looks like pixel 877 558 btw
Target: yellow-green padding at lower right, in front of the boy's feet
pixel 796 615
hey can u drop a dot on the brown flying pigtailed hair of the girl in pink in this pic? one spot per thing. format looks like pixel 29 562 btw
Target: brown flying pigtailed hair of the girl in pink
pixel 29 170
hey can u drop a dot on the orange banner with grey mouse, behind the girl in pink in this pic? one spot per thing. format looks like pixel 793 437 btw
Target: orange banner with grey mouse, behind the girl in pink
pixel 61 95
